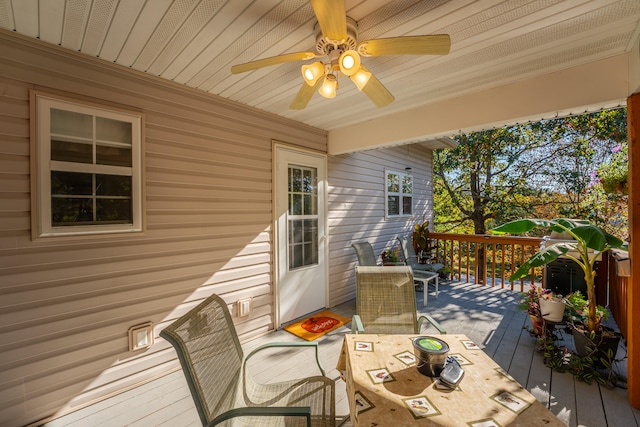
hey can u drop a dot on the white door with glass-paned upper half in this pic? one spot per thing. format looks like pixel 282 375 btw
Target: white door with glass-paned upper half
pixel 301 270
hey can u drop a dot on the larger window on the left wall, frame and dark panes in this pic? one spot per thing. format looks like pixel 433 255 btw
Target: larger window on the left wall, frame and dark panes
pixel 88 169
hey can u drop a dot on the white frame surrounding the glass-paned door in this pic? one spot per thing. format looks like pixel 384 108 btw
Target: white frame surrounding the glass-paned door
pixel 277 147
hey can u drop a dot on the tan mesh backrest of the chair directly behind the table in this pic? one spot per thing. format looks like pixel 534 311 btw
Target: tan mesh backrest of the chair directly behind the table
pixel 386 300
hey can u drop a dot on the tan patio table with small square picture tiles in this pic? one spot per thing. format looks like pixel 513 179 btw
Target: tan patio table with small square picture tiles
pixel 385 388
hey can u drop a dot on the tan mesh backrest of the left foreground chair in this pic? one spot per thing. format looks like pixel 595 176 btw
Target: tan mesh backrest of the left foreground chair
pixel 210 354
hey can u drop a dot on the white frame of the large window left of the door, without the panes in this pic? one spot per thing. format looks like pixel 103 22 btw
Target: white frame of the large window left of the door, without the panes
pixel 43 165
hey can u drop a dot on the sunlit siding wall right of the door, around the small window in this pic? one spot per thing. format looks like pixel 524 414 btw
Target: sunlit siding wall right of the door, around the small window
pixel 356 207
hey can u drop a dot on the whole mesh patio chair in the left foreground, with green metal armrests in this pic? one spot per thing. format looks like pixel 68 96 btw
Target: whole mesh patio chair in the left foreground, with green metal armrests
pixel 221 385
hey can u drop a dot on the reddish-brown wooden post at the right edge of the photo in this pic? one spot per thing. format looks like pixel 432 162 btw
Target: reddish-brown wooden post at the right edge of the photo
pixel 633 311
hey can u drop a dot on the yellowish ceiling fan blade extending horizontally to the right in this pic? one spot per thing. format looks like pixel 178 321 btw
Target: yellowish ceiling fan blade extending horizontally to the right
pixel 439 44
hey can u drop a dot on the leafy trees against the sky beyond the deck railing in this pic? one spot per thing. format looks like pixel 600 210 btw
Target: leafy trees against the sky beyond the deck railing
pixel 541 169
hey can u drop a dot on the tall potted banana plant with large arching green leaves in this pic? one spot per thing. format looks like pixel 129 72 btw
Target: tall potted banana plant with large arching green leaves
pixel 588 243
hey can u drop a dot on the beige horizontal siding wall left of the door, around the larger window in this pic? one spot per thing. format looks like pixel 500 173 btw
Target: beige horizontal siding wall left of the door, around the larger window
pixel 66 303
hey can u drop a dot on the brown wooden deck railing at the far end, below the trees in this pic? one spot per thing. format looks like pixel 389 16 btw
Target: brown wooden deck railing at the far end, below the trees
pixel 487 259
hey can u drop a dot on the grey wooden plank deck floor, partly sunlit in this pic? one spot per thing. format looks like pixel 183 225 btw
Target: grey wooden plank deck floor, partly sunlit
pixel 486 315
